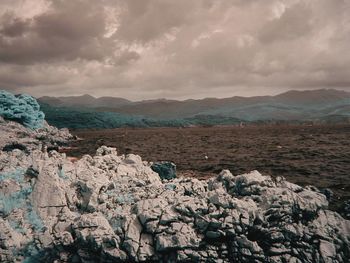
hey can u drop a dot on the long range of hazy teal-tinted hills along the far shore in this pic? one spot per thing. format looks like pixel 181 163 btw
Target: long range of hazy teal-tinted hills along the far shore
pixel 324 105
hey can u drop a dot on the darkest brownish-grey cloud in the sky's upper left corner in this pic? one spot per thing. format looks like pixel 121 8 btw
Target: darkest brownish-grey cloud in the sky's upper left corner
pixel 69 30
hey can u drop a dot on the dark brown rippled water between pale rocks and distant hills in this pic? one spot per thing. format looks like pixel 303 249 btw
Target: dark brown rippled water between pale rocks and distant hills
pixel 317 155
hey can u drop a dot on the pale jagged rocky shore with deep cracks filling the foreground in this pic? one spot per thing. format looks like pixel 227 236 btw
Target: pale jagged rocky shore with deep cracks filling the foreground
pixel 112 208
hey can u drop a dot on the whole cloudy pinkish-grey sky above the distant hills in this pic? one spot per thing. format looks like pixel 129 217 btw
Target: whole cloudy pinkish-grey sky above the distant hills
pixel 143 49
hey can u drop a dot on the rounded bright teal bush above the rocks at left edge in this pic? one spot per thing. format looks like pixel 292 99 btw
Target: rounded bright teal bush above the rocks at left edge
pixel 21 108
